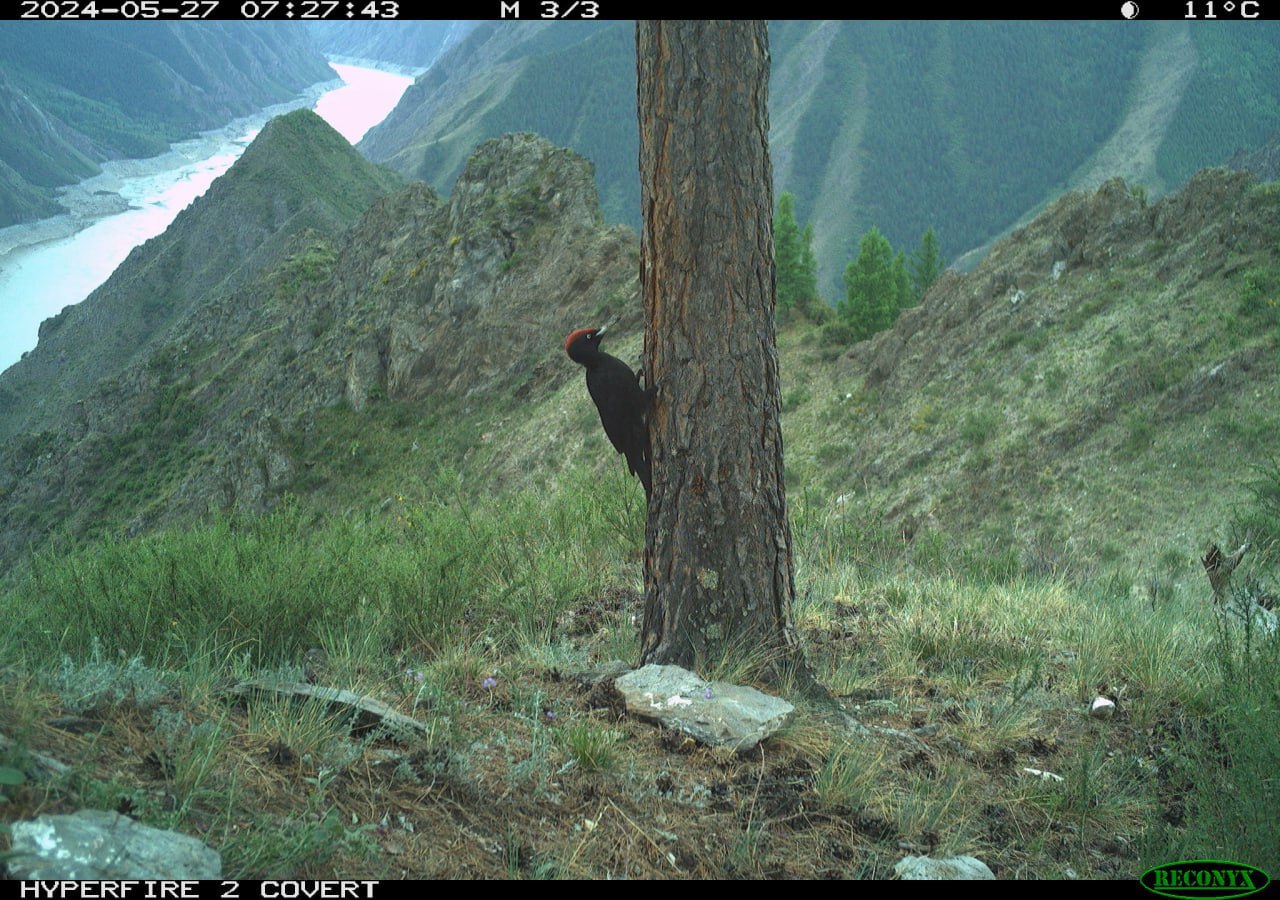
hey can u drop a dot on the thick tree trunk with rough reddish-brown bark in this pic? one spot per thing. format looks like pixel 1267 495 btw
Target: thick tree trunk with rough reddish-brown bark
pixel 719 572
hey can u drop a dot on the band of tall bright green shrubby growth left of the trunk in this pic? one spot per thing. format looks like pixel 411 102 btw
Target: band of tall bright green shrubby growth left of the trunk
pixel 287 582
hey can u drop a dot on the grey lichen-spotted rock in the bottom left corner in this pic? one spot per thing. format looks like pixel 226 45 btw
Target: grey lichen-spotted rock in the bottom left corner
pixel 98 844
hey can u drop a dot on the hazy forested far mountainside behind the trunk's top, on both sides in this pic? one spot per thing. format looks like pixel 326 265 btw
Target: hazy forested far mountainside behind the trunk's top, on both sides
pixel 967 127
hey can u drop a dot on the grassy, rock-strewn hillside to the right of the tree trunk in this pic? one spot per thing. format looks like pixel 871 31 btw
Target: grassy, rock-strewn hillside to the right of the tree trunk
pixel 1099 390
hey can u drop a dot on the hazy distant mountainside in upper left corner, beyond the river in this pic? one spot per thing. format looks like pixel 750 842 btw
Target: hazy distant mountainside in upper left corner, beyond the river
pixel 74 95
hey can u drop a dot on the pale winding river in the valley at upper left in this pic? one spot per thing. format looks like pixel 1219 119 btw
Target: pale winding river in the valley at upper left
pixel 52 264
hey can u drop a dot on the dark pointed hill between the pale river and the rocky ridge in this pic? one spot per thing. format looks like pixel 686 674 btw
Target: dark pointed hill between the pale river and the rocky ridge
pixel 284 184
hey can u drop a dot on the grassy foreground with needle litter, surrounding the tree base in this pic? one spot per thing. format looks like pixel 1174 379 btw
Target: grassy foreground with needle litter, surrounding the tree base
pixel 468 618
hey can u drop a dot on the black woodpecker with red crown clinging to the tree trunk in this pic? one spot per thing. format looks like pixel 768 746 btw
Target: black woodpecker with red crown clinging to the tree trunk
pixel 623 404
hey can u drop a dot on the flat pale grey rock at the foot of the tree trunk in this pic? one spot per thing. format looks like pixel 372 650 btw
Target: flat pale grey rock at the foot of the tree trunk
pixel 714 712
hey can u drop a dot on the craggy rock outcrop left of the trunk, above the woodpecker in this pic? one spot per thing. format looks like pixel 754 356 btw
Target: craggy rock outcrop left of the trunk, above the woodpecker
pixel 495 277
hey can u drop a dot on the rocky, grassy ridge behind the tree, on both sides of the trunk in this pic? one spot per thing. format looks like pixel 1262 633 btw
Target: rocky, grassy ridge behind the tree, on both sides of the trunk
pixel 1092 395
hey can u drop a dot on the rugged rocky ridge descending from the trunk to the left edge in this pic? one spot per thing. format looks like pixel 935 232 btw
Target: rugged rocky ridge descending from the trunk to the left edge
pixel 422 299
